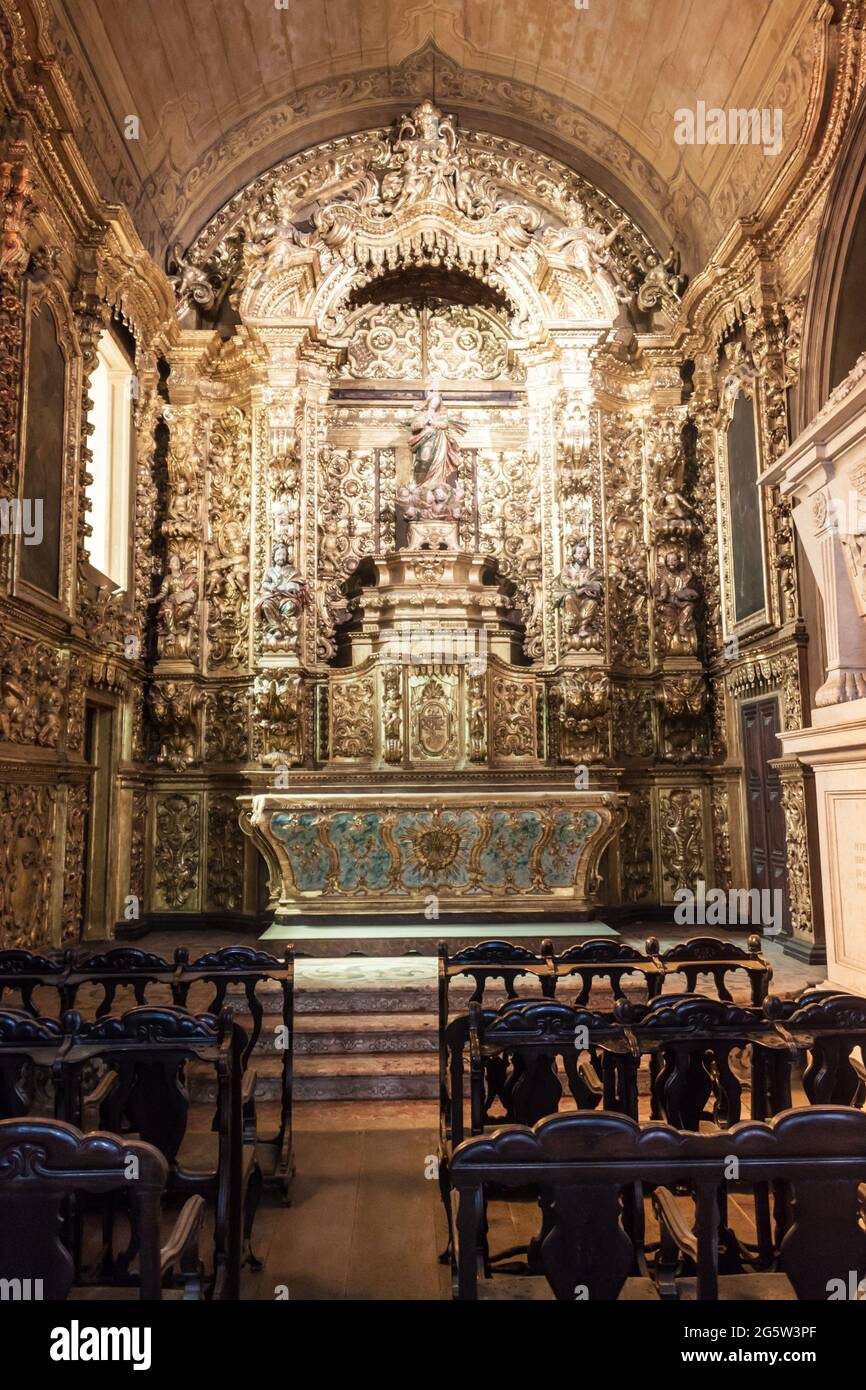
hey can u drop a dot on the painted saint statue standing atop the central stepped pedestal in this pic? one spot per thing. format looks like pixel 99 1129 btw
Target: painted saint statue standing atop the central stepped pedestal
pixel 436 501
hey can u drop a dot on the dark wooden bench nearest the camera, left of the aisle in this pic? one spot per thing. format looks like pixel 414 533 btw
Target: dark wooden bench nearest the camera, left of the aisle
pixel 48 1171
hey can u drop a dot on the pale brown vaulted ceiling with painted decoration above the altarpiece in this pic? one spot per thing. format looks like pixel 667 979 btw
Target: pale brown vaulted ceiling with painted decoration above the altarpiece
pixel 226 88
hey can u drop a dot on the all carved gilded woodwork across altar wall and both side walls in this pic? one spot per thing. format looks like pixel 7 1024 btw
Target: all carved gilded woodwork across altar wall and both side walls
pixel 515 682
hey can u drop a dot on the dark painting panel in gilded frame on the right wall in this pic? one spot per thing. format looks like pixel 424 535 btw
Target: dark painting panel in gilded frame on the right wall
pixel 747 533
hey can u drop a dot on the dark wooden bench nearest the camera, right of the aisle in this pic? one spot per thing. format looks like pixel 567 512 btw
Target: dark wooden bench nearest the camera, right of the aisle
pixel 587 1166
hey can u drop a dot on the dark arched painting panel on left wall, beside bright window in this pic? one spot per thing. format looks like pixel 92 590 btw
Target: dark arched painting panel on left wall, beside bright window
pixel 44 451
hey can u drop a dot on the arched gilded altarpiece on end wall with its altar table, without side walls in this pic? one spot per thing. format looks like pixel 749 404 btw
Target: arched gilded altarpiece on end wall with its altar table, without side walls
pixel 426 394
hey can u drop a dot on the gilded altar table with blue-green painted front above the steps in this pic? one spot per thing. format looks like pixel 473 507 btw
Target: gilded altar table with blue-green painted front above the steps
pixel 366 856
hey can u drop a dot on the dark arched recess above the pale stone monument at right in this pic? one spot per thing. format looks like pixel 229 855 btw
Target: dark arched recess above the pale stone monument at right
pixel 835 326
